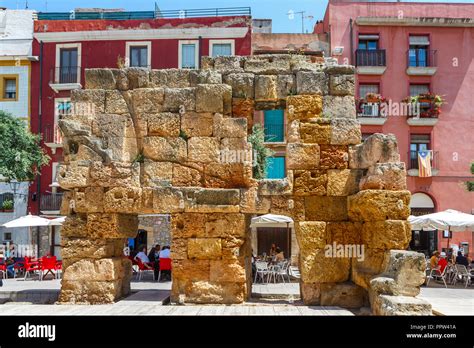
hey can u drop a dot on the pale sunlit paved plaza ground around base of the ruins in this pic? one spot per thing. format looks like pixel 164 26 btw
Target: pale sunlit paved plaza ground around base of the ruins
pixel 151 298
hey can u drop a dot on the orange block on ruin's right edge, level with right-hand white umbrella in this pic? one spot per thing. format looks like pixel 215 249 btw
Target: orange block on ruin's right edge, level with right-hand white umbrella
pixel 389 234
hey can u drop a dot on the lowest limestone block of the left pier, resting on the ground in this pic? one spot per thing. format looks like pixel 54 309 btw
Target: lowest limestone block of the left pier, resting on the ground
pixel 90 292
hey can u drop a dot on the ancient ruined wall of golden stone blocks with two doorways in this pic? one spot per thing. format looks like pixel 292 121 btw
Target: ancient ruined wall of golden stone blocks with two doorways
pixel 154 145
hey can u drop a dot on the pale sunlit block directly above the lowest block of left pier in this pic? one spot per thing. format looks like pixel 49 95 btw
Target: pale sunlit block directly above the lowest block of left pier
pixel 87 270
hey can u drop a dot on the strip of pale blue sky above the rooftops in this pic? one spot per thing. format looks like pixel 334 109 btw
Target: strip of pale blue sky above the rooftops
pixel 274 9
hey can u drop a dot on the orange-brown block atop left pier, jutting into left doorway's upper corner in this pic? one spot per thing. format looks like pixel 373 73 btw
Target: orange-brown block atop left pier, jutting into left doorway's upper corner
pixel 101 225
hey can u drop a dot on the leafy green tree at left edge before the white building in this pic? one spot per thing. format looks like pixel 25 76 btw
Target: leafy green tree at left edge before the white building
pixel 21 156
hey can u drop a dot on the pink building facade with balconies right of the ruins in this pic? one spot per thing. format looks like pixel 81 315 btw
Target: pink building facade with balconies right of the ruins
pixel 410 49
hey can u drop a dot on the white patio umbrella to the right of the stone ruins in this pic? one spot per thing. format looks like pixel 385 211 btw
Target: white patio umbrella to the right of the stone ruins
pixel 451 220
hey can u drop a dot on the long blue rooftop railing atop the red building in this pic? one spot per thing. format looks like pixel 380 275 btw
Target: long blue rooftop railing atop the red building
pixel 128 15
